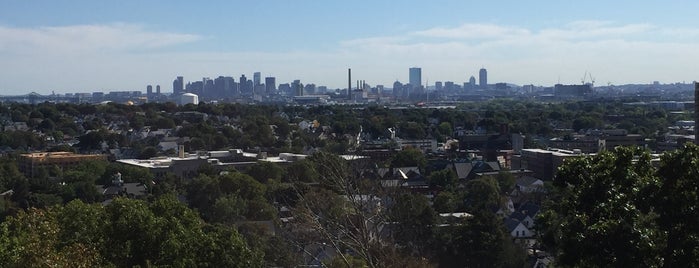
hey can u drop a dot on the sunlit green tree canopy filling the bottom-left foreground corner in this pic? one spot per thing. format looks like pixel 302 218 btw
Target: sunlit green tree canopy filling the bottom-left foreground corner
pixel 125 233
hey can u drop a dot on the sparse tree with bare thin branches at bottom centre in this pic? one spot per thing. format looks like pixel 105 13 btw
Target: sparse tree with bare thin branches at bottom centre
pixel 345 212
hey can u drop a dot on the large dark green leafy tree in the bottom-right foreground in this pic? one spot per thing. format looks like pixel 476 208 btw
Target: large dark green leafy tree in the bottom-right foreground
pixel 607 212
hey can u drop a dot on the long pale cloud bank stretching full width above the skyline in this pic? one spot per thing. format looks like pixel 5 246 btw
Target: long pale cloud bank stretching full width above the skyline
pixel 119 56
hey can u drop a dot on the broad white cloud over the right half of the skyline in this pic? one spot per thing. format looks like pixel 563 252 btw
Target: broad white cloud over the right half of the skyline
pixel 614 52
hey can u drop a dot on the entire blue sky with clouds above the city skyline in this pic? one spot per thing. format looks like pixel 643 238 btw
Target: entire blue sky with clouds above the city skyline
pixel 86 46
